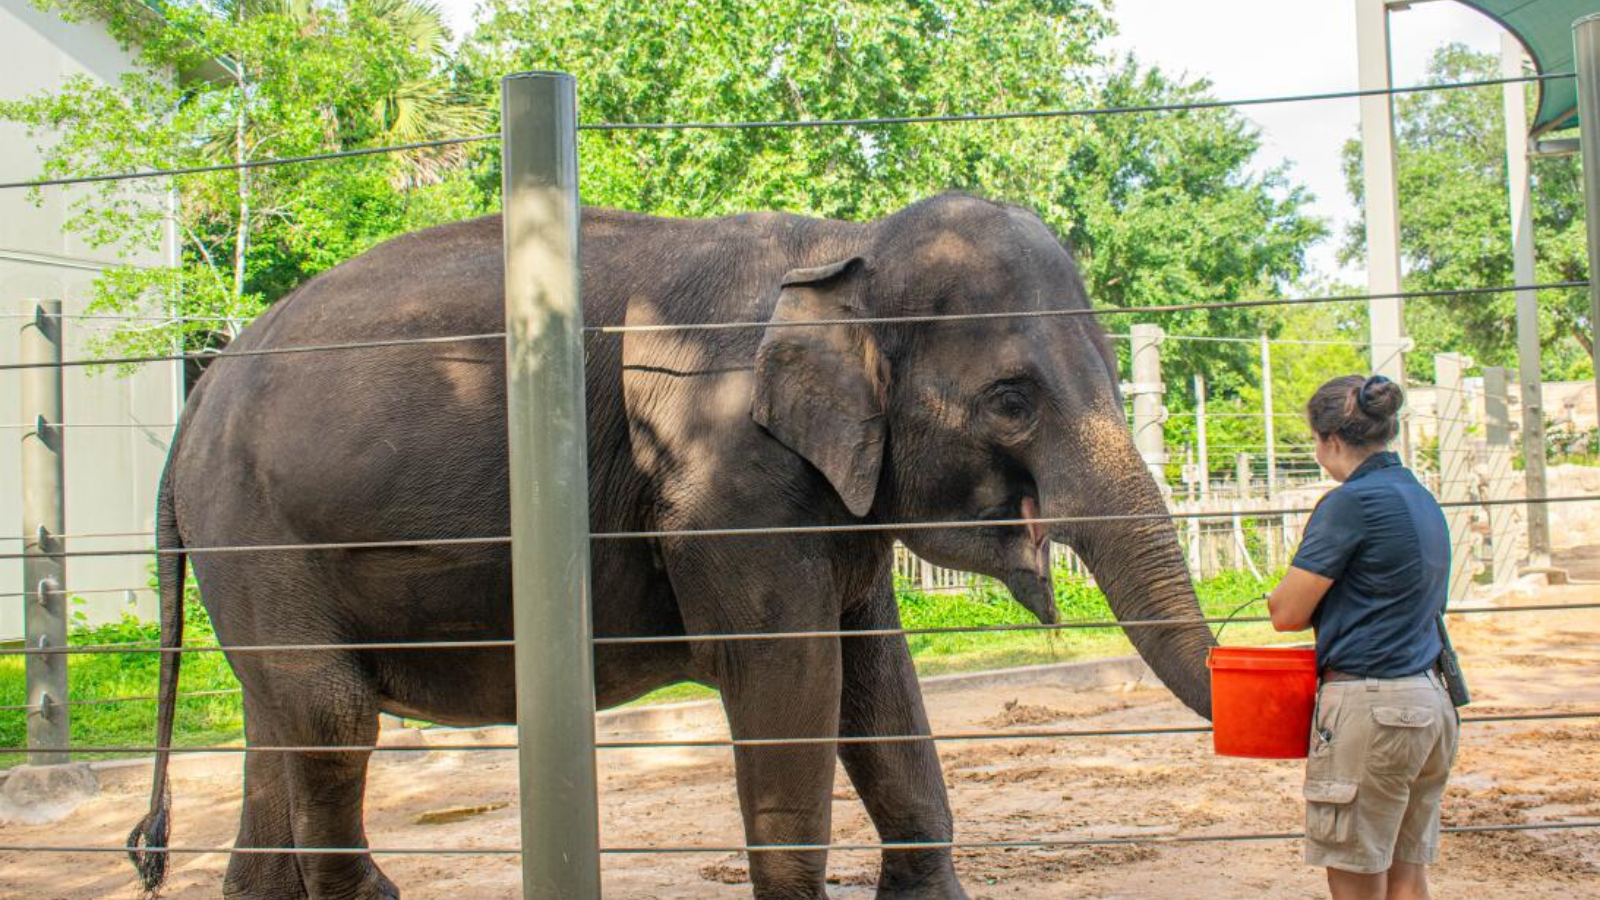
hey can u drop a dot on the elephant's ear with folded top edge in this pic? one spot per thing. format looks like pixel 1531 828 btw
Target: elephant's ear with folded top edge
pixel 823 390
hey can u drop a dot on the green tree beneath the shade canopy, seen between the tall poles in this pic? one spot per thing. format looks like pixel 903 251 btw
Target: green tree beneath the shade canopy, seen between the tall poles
pixel 1455 225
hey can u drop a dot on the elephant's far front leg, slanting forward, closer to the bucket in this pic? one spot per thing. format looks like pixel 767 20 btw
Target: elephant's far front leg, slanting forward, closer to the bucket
pixel 900 782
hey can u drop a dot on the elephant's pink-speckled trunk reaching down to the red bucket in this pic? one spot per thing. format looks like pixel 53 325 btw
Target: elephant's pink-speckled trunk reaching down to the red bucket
pixel 1142 569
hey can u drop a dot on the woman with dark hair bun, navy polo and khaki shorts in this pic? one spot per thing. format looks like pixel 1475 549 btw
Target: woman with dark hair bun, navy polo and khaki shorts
pixel 1370 577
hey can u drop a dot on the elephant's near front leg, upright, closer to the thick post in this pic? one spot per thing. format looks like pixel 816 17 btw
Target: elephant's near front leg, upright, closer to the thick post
pixel 785 689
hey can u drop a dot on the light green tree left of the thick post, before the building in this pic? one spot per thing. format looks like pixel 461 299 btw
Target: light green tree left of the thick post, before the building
pixel 257 79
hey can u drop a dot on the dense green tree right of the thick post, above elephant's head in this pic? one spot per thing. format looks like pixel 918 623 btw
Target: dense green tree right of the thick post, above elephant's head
pixel 1161 209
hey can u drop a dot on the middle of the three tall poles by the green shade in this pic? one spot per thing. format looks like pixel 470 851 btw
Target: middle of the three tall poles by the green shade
pixel 1529 352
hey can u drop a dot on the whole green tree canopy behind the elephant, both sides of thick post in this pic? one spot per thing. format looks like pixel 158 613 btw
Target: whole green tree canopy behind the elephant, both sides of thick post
pixel 1159 207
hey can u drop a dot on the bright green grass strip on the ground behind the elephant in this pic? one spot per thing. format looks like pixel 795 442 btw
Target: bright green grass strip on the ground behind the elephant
pixel 206 721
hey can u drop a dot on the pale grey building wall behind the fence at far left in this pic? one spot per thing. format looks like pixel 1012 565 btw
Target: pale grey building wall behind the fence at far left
pixel 111 472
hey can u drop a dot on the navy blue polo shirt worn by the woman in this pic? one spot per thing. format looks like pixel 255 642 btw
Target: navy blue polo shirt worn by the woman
pixel 1383 540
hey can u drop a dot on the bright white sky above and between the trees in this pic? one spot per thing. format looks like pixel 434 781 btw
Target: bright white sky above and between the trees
pixel 1252 49
